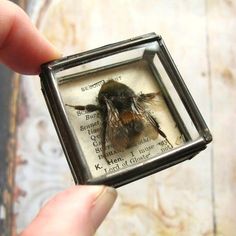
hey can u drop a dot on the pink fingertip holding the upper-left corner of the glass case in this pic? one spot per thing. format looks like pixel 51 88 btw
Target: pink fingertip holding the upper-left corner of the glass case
pixel 22 47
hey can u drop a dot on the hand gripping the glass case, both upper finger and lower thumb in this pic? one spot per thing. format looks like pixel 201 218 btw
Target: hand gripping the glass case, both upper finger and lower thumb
pixel 80 209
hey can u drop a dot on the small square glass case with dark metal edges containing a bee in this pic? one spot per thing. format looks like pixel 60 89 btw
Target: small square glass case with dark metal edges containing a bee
pixel 122 111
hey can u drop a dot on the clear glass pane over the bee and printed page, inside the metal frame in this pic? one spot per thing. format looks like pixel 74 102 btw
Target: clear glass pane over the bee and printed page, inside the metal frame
pixel 144 128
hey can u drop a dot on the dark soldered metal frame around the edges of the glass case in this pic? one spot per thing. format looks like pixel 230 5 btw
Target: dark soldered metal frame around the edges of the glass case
pixel 72 149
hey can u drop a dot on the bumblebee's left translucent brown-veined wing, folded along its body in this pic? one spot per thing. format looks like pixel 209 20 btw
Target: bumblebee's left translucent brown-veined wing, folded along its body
pixel 116 131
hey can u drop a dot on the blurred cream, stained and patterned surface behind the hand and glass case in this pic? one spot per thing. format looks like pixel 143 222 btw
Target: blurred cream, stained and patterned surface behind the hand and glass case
pixel 196 197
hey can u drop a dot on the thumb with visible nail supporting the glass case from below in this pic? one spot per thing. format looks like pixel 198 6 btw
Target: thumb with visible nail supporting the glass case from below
pixel 76 211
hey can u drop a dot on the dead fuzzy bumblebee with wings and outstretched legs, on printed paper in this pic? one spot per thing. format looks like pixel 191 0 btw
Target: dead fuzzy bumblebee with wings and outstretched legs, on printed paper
pixel 124 117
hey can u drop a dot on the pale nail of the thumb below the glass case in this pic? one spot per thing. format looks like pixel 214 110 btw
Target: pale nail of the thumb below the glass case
pixel 102 205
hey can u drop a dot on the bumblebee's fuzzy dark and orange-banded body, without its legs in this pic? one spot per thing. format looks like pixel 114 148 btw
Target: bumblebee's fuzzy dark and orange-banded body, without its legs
pixel 123 125
